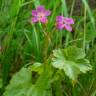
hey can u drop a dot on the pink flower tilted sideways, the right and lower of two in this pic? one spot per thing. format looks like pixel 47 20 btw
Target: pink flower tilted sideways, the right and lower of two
pixel 64 23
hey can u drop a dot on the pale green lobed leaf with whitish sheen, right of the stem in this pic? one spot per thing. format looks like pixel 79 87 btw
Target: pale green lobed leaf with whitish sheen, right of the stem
pixel 72 61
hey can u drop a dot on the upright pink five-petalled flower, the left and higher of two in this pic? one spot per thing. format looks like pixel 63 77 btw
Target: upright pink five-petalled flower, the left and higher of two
pixel 40 14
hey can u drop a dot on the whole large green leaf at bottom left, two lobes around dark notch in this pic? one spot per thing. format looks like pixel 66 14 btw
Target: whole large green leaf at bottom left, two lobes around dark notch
pixel 21 84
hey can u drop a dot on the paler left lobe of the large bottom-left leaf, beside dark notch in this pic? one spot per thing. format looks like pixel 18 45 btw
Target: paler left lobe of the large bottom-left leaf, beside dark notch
pixel 19 84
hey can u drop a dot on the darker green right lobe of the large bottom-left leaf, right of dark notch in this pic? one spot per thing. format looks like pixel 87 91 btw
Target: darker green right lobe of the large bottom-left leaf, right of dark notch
pixel 41 88
